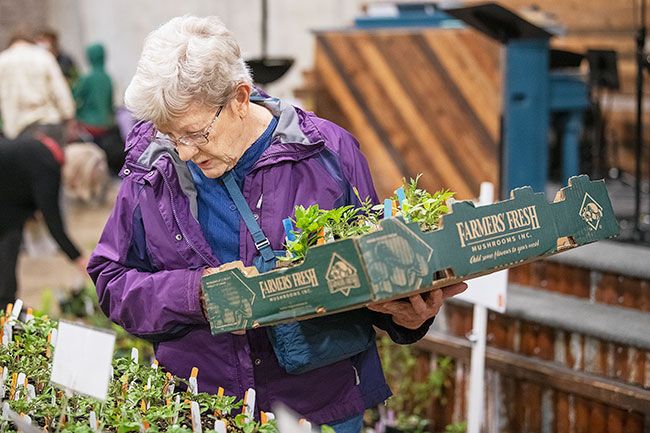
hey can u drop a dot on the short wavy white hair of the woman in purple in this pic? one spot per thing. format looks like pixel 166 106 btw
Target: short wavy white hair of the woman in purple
pixel 187 60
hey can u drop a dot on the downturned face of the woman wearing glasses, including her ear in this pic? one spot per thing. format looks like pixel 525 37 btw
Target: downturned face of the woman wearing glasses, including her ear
pixel 224 128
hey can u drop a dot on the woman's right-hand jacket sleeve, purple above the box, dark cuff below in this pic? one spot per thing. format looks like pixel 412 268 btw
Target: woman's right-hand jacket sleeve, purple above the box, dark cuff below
pixel 356 171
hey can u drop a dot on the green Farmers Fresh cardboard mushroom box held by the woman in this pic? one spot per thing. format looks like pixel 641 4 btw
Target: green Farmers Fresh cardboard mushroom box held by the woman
pixel 399 259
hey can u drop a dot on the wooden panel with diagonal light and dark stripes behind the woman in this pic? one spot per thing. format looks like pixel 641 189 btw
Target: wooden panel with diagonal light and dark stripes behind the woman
pixel 421 101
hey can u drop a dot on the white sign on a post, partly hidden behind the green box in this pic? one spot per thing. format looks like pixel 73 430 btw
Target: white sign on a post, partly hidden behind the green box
pixel 490 290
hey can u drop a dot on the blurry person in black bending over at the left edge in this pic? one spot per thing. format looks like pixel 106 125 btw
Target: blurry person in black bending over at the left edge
pixel 30 179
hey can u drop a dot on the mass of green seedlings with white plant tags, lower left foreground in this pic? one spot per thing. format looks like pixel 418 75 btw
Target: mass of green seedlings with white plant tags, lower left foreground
pixel 140 397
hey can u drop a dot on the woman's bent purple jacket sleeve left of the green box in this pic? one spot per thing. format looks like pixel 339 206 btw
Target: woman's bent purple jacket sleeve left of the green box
pixel 153 304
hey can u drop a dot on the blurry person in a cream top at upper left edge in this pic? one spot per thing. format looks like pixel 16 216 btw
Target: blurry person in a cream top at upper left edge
pixel 34 96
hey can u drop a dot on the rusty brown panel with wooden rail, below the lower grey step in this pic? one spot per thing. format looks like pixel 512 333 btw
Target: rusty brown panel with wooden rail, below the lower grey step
pixel 542 379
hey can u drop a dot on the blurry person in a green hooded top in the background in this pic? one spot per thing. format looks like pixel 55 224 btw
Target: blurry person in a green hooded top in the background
pixel 93 95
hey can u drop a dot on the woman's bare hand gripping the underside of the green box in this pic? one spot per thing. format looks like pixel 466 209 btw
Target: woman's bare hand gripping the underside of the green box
pixel 413 311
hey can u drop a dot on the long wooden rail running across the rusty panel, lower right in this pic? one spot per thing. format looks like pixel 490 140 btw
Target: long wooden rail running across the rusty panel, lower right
pixel 546 373
